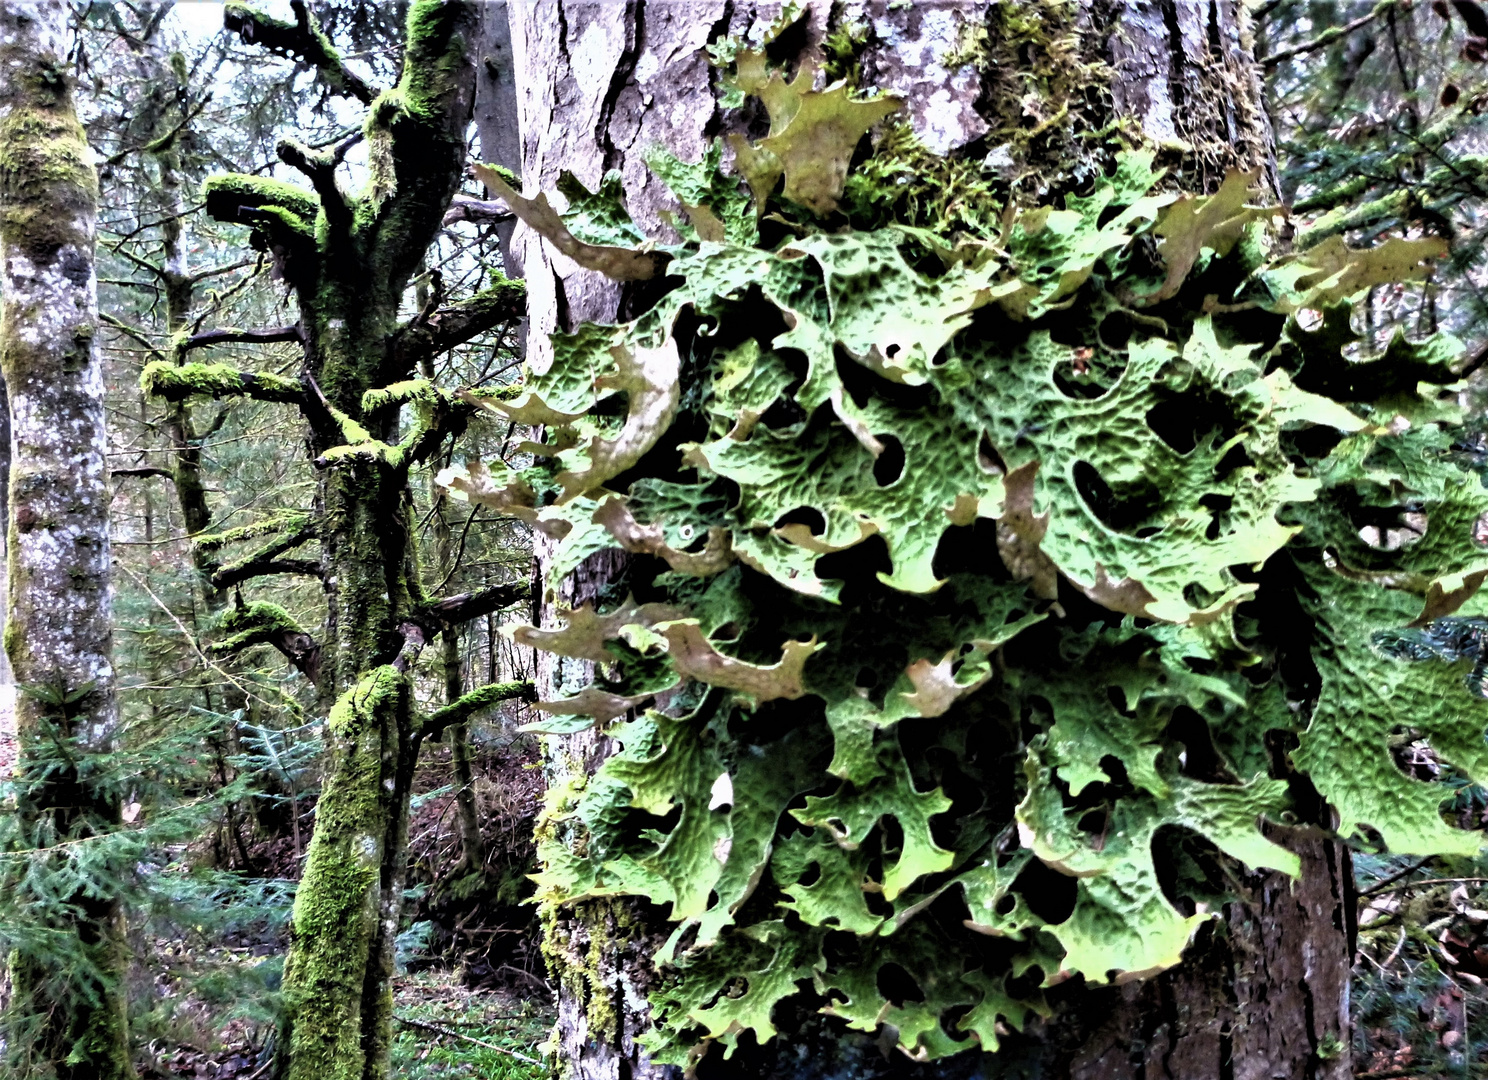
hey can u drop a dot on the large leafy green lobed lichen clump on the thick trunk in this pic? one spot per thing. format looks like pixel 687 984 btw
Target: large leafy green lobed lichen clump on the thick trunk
pixel 966 553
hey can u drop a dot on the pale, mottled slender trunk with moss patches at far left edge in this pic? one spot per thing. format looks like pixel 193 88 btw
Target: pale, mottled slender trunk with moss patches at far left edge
pixel 59 621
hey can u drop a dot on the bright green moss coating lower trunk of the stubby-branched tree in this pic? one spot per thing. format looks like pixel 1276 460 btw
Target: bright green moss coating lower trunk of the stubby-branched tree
pixel 337 905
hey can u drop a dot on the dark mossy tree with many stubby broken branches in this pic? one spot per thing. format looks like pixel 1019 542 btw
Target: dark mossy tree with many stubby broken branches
pixel 349 258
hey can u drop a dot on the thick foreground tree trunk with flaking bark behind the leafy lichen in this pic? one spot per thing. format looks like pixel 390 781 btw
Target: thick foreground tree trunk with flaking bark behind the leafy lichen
pixel 1266 991
